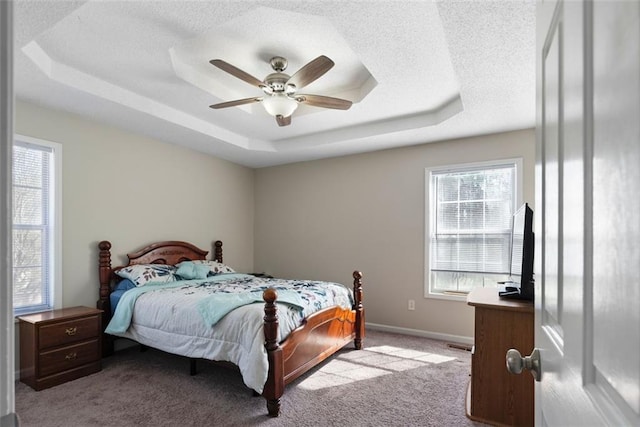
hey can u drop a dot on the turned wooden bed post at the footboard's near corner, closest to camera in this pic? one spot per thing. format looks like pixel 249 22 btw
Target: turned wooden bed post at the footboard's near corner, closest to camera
pixel 274 387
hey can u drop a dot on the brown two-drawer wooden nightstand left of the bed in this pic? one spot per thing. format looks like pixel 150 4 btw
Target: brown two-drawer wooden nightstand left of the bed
pixel 59 346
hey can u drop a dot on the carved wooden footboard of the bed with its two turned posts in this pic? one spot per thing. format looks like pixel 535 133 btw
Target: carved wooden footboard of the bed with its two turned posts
pixel 322 334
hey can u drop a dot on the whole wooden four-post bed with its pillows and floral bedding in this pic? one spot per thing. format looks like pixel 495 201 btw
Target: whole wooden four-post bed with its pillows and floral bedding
pixel 311 334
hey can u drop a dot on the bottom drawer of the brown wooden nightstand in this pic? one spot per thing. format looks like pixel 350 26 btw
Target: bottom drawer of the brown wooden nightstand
pixel 62 359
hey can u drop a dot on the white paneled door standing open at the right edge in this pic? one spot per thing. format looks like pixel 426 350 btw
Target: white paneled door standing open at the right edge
pixel 588 213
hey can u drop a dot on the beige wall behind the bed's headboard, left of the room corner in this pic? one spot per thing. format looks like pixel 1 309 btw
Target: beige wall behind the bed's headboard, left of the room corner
pixel 133 190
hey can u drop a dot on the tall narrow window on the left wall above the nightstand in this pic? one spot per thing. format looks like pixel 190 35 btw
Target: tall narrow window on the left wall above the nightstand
pixel 36 225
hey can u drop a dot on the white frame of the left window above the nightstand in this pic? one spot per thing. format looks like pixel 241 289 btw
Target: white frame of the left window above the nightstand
pixel 55 214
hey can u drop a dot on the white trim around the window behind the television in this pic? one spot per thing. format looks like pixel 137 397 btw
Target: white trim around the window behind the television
pixel 429 200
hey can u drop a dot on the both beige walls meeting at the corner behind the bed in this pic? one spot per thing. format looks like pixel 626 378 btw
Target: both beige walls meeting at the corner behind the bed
pixel 317 220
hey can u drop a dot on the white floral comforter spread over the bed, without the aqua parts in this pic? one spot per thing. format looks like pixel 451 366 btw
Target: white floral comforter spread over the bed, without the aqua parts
pixel 169 319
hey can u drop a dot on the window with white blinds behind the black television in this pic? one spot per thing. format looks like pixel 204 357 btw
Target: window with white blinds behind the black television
pixel 469 211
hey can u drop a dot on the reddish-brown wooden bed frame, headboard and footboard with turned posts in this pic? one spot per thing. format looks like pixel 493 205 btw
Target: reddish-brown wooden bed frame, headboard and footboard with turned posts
pixel 321 334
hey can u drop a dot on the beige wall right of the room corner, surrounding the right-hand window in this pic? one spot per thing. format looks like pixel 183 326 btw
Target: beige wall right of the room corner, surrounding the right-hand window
pixel 325 218
